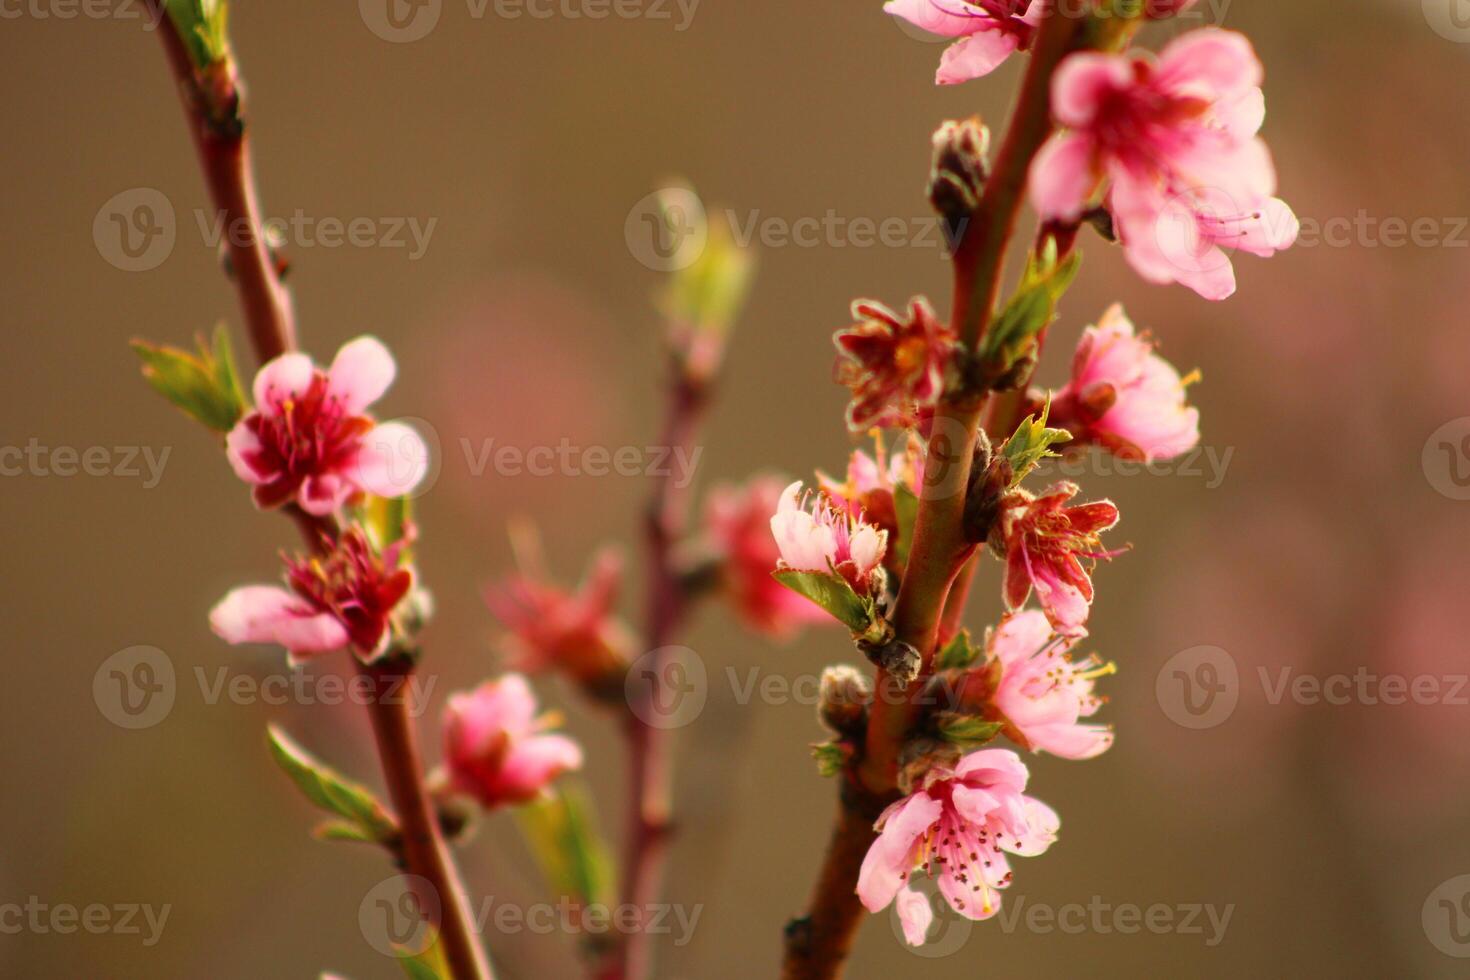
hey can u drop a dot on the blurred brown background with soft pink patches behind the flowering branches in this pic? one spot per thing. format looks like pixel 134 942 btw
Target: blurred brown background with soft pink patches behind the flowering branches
pixel 1321 534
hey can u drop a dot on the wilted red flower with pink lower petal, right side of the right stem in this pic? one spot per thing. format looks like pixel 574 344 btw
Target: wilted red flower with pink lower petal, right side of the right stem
pixel 1046 546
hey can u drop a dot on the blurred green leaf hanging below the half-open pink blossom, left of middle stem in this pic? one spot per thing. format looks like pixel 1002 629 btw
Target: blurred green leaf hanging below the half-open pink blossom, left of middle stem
pixel 564 838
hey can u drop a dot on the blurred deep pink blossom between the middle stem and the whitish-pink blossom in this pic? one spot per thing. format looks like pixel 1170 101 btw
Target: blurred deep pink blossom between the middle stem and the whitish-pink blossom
pixel 737 524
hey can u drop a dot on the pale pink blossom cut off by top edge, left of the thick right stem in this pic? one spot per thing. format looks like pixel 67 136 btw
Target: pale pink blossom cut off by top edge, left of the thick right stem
pixel 989 32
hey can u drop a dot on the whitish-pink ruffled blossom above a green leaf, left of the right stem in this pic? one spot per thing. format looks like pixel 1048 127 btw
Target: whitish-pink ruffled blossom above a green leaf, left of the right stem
pixel 827 540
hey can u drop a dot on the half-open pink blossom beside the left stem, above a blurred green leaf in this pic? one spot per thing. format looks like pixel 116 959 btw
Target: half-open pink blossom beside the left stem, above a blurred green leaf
pixel 496 749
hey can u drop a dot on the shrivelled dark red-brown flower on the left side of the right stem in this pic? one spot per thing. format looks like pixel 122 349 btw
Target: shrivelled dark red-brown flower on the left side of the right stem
pixel 893 365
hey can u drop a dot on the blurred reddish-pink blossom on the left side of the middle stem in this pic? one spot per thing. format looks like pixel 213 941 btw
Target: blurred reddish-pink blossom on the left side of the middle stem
pixel 577 633
